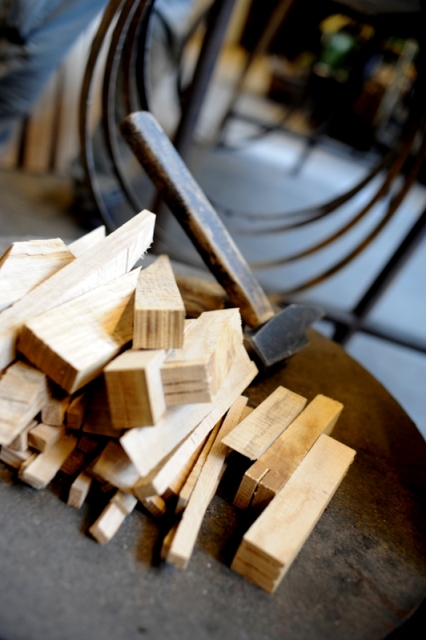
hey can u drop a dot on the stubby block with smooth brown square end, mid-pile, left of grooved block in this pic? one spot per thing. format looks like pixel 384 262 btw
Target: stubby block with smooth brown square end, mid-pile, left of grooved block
pixel 134 387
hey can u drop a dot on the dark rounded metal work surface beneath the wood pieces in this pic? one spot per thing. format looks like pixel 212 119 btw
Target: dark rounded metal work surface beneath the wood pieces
pixel 360 573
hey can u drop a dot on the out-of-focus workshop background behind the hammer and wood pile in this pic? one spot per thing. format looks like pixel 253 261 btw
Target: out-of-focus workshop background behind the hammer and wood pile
pixel 305 130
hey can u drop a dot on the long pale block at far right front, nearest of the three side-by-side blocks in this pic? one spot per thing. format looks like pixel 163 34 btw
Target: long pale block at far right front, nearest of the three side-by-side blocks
pixel 276 537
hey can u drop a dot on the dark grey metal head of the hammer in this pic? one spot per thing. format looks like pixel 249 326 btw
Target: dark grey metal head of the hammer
pixel 282 336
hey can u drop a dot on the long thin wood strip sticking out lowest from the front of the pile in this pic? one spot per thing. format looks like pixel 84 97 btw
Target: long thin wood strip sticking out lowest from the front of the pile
pixel 205 487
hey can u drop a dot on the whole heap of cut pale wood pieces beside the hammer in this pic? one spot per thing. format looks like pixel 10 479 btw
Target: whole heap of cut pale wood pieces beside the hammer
pixel 108 380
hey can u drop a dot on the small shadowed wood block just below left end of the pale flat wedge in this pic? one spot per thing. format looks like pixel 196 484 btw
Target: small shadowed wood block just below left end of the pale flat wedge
pixel 114 466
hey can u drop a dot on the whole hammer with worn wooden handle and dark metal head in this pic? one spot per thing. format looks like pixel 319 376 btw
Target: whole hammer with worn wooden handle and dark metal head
pixel 271 337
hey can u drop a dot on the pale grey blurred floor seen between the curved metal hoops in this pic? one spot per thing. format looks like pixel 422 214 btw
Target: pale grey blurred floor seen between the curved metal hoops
pixel 258 178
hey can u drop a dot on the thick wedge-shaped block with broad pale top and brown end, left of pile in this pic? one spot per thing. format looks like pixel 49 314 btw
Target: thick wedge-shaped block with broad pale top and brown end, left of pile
pixel 73 342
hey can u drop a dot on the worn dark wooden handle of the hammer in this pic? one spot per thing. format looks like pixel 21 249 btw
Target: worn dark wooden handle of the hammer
pixel 188 203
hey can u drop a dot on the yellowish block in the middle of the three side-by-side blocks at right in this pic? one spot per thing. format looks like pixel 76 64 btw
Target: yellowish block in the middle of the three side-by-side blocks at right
pixel 281 459
